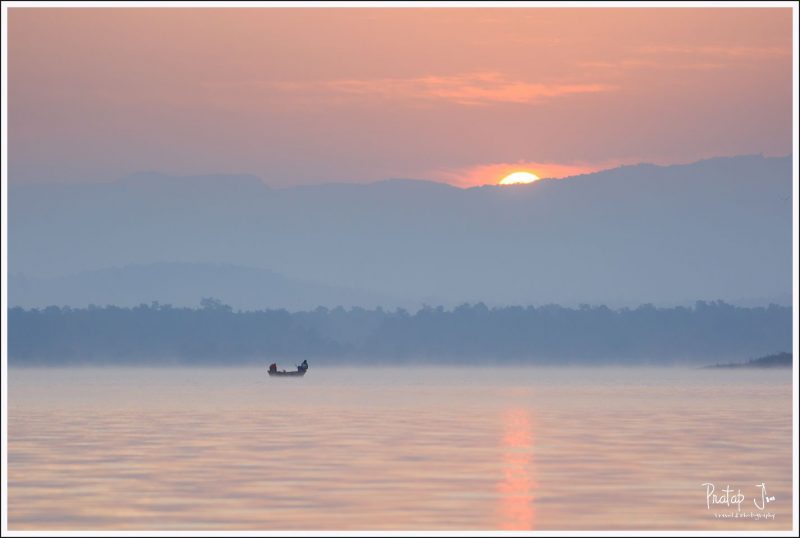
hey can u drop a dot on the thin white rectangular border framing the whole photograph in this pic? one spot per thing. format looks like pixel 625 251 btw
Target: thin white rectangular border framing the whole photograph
pixel 388 4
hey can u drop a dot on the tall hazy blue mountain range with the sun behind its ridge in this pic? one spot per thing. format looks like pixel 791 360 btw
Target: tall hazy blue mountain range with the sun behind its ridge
pixel 716 229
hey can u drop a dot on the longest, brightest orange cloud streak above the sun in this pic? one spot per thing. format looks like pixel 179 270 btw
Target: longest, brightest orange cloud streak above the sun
pixel 480 88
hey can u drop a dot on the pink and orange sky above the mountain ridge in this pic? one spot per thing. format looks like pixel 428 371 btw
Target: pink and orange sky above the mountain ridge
pixel 464 96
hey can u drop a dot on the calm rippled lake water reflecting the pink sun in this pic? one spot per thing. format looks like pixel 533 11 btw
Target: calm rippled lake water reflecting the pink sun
pixel 536 448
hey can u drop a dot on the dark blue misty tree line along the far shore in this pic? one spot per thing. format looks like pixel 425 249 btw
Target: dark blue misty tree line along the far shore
pixel 215 333
